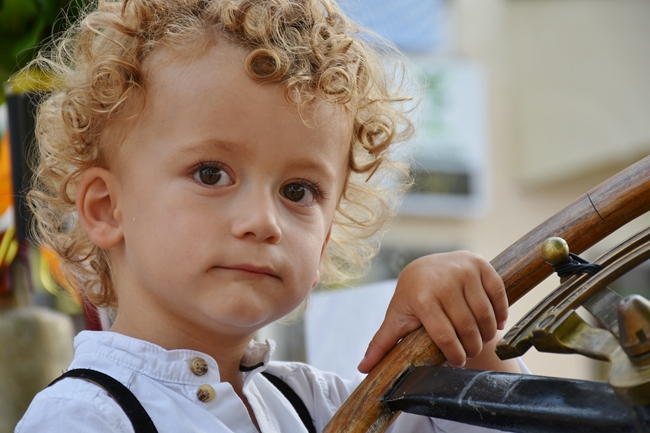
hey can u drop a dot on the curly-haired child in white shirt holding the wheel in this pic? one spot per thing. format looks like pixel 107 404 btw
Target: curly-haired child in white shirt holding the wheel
pixel 203 165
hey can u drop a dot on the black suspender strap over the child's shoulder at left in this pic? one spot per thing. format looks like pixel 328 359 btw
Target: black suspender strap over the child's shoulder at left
pixel 128 402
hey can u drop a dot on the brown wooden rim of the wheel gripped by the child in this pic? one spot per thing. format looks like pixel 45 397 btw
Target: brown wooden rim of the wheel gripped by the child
pixel 583 223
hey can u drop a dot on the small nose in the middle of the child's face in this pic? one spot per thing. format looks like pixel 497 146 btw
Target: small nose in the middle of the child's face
pixel 257 217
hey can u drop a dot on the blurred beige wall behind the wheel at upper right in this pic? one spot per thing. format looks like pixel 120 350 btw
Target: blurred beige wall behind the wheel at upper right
pixel 530 180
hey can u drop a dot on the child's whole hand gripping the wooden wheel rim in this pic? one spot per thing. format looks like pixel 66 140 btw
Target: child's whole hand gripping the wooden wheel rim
pixel 458 297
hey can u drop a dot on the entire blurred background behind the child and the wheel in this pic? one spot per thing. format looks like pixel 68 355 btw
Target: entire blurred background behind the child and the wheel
pixel 527 105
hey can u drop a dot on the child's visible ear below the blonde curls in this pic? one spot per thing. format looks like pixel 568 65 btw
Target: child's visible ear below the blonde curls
pixel 97 207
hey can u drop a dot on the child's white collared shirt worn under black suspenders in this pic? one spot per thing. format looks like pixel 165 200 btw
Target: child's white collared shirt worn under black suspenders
pixel 166 386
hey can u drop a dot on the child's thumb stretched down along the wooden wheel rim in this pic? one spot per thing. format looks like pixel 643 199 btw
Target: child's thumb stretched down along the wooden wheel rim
pixel 393 329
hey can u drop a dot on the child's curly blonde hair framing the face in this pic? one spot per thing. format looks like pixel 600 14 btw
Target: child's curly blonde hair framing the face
pixel 308 45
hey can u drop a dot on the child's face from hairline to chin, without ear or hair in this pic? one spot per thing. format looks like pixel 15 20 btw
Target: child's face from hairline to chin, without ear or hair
pixel 225 198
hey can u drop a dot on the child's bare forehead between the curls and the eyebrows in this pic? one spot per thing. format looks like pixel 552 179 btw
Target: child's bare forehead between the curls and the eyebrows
pixel 207 95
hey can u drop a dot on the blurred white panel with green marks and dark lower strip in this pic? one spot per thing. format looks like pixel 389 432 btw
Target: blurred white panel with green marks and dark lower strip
pixel 450 157
